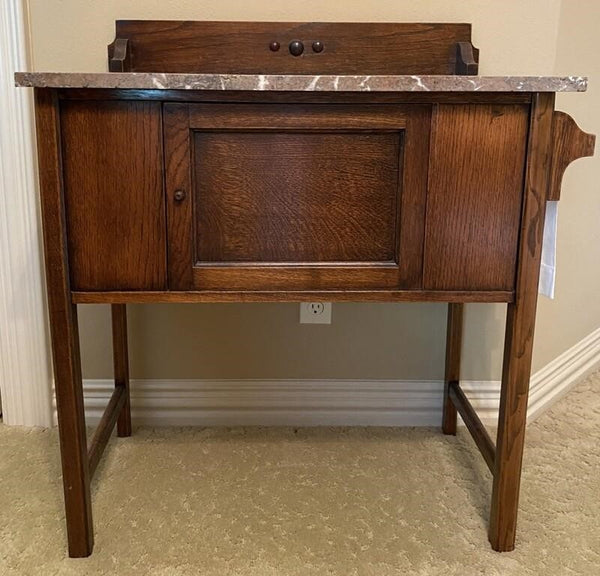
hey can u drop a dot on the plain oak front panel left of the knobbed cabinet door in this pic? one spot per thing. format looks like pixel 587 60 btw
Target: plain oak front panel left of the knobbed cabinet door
pixel 114 201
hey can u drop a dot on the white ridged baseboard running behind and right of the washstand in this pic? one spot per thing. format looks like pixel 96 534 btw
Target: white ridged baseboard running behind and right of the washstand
pixel 331 402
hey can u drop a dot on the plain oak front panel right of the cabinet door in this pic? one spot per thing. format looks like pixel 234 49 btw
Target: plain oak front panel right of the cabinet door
pixel 475 194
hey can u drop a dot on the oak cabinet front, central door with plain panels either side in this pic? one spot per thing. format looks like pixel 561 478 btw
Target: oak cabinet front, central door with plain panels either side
pixel 221 196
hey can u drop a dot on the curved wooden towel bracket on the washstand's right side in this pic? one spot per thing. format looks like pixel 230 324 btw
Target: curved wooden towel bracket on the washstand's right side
pixel 568 144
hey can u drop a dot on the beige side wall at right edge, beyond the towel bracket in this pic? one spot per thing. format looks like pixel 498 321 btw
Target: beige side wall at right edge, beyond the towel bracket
pixel 576 310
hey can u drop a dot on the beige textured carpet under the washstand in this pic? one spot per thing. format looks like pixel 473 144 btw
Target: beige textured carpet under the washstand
pixel 318 501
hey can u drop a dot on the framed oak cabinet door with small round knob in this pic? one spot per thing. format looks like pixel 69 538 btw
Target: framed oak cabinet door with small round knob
pixel 295 197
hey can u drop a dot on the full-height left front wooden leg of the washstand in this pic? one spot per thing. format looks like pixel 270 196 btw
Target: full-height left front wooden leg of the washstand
pixel 64 331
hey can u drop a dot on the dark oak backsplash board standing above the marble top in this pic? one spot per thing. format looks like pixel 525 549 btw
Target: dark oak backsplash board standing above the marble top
pixel 245 47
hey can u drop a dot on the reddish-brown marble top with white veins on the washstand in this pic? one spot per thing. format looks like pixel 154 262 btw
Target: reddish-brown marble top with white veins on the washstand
pixel 297 83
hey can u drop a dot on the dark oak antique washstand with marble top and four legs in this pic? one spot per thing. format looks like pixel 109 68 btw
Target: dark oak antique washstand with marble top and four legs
pixel 222 162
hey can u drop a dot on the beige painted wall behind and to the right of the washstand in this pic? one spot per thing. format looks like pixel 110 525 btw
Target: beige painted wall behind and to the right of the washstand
pixel 365 340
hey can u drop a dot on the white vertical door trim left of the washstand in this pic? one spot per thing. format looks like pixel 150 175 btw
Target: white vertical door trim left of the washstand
pixel 25 367
